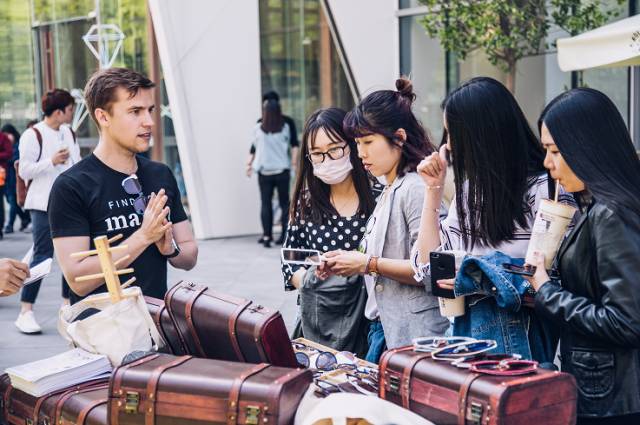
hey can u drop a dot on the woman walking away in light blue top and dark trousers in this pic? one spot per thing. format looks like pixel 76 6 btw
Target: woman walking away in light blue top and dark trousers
pixel 272 161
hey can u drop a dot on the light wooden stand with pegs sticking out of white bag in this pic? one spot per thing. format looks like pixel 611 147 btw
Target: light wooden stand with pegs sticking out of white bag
pixel 110 273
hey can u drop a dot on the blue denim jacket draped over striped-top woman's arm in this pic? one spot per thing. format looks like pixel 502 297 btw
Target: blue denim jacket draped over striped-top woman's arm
pixel 495 311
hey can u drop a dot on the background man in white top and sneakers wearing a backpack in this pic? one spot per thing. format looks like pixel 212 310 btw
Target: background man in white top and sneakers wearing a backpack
pixel 46 150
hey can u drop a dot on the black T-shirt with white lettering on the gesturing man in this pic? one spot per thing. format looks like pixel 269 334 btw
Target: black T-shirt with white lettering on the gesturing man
pixel 88 200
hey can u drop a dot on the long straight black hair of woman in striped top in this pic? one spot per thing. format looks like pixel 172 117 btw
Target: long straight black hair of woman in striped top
pixel 496 152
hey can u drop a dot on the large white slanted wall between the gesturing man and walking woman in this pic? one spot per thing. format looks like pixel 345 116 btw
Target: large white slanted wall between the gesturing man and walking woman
pixel 210 54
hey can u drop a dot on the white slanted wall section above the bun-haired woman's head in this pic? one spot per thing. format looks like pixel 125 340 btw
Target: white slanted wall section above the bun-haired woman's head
pixel 369 33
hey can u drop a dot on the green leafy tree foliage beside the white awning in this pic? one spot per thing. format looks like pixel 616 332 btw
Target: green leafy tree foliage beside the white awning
pixel 509 30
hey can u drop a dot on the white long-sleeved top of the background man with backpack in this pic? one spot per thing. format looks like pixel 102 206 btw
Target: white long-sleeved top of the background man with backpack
pixel 43 173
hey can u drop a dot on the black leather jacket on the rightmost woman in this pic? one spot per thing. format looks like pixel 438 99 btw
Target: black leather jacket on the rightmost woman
pixel 596 310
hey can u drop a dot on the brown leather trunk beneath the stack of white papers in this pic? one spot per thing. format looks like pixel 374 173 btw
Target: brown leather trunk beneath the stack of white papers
pixel 75 404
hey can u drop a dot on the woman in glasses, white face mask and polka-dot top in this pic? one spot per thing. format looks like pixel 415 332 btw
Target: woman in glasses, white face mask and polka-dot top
pixel 332 201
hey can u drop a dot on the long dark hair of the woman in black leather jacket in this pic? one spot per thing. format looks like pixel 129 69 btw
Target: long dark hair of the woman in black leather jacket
pixel 592 137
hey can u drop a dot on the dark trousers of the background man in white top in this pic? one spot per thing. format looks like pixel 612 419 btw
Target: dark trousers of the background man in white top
pixel 42 249
